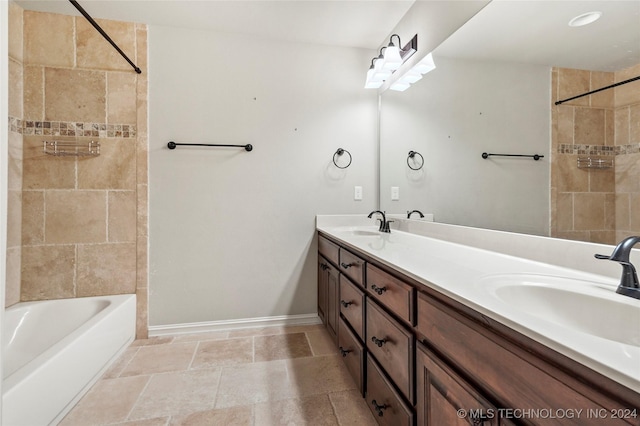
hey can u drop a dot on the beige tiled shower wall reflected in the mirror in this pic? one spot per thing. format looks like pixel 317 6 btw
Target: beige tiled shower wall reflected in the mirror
pixel 592 204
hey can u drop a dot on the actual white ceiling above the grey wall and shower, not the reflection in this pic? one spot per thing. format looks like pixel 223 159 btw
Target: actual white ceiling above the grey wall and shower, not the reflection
pixel 352 23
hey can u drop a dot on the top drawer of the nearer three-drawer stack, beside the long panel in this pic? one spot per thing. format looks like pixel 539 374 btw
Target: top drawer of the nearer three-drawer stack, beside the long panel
pixel 391 292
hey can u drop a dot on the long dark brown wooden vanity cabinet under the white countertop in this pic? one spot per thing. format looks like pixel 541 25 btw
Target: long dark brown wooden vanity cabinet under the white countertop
pixel 418 356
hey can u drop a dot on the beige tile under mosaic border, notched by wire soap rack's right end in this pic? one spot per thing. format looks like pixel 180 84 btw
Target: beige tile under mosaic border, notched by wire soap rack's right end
pixel 113 169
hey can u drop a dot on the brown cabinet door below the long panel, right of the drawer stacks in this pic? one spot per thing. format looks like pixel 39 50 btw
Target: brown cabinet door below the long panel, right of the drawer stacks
pixel 444 398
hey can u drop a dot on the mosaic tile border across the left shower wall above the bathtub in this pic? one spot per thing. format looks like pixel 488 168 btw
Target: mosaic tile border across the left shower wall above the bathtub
pixel 71 128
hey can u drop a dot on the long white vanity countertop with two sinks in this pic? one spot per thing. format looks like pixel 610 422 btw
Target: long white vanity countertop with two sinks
pixel 468 275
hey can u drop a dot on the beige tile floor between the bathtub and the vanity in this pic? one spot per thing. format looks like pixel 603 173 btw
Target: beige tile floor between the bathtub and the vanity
pixel 261 377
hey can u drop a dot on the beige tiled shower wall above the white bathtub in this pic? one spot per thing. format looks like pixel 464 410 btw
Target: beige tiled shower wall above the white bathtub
pixel 84 219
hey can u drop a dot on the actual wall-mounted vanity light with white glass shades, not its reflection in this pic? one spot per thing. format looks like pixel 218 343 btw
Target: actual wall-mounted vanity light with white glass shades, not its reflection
pixel 390 58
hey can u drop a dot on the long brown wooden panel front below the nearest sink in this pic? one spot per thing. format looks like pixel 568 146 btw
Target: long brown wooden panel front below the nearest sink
pixel 515 377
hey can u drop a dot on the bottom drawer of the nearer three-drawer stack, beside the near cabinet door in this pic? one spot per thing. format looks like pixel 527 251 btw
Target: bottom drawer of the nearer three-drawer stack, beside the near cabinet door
pixel 384 402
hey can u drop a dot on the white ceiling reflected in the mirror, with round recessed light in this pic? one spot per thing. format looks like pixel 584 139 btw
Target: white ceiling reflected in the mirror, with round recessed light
pixel 538 32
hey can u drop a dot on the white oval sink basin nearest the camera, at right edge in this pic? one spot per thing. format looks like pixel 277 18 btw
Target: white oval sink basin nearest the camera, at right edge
pixel 583 306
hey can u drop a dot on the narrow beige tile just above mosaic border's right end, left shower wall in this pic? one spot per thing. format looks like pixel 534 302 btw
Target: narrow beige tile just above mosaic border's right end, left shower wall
pixel 121 98
